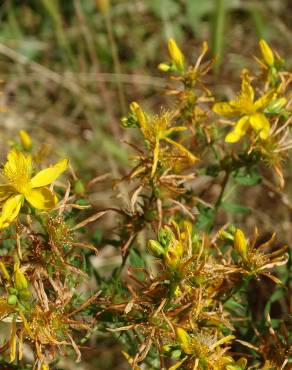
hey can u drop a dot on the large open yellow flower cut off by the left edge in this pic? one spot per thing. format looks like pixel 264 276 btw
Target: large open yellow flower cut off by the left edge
pixel 20 185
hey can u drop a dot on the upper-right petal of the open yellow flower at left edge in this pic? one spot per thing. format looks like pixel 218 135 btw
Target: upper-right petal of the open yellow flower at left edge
pixel 48 175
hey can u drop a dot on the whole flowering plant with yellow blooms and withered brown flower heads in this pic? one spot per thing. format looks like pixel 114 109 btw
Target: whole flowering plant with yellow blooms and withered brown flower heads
pixel 180 297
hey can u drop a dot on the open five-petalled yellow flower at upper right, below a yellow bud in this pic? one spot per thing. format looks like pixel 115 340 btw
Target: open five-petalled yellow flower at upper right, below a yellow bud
pixel 250 112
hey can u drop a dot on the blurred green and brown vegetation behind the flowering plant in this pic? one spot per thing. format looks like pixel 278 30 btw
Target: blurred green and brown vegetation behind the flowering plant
pixel 70 68
